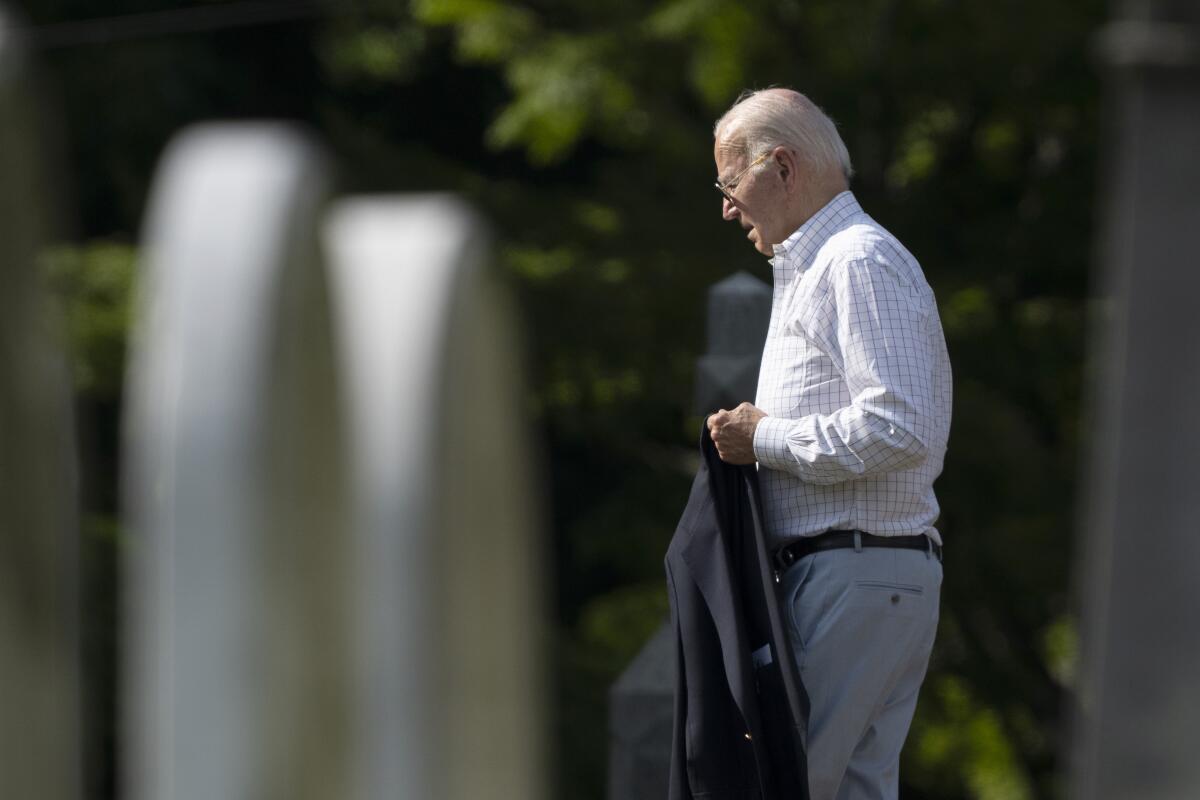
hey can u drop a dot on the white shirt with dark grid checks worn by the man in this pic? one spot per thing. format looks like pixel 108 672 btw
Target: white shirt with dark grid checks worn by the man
pixel 856 383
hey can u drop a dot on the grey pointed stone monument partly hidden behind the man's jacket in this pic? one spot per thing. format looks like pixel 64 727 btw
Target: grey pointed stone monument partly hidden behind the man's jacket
pixel 641 701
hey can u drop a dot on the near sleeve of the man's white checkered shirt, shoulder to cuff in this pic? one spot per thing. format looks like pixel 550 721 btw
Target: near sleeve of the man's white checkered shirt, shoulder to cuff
pixel 874 326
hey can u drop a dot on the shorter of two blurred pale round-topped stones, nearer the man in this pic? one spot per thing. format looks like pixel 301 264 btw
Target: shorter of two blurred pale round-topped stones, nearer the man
pixel 452 684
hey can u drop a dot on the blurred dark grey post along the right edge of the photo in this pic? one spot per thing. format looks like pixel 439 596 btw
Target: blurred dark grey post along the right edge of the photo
pixel 1141 694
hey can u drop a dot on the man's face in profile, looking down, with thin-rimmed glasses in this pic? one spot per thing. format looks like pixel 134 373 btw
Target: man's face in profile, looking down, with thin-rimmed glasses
pixel 759 201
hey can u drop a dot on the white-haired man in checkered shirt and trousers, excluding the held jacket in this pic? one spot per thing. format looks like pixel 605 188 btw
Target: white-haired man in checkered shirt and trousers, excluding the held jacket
pixel 849 430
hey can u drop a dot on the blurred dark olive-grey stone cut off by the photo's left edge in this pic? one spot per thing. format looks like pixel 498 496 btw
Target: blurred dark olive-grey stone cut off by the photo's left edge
pixel 40 717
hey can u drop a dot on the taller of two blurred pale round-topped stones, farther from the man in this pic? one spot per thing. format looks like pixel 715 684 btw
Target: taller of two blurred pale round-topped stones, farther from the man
pixel 238 654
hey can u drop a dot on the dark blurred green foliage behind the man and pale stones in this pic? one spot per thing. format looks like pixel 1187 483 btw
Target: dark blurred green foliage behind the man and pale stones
pixel 583 130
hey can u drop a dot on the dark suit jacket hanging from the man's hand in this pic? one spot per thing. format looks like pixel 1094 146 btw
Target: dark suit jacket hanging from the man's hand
pixel 736 714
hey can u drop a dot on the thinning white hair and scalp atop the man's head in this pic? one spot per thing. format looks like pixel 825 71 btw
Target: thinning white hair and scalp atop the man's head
pixel 763 121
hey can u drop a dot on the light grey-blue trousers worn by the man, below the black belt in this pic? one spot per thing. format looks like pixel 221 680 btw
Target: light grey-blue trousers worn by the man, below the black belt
pixel 862 627
